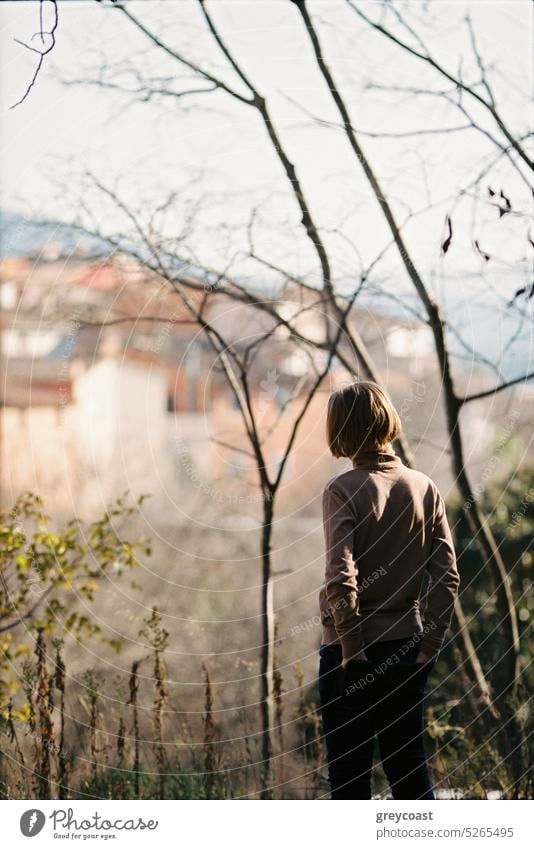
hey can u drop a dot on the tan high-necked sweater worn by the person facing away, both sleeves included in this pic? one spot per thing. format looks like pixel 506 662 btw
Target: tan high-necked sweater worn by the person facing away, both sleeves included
pixel 385 526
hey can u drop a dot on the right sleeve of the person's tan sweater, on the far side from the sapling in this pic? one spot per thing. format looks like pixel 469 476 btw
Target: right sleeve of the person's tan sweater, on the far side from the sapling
pixel 443 584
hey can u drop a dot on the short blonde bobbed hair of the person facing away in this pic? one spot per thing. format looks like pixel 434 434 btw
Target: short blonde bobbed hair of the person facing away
pixel 360 416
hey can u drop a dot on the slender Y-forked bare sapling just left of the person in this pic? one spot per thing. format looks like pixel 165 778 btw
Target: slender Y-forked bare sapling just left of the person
pixel 237 363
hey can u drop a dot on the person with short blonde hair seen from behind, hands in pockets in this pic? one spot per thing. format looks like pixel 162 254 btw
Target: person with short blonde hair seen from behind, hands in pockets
pixel 386 602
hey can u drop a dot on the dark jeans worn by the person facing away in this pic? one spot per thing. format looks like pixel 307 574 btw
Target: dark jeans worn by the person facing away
pixel 382 696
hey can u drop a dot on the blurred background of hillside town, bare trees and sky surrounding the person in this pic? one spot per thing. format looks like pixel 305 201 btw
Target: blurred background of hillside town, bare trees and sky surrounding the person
pixel 212 215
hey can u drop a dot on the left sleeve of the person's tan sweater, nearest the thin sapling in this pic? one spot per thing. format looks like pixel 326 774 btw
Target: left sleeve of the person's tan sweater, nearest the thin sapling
pixel 340 585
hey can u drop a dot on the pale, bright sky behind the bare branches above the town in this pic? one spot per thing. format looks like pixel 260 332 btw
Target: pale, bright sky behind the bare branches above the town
pixel 214 152
